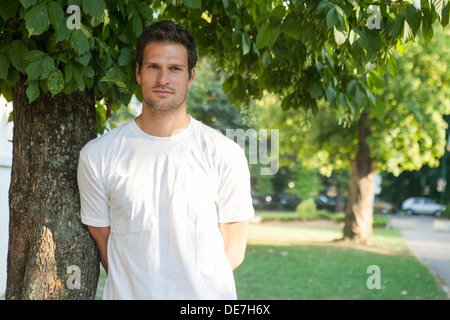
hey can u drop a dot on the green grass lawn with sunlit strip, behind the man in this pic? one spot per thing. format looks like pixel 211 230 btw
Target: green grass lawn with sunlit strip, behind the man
pixel 286 260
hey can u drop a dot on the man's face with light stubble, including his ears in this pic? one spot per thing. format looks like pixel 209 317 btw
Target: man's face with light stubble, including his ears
pixel 164 76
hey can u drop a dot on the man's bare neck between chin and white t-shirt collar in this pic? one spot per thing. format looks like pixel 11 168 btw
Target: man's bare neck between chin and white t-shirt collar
pixel 161 124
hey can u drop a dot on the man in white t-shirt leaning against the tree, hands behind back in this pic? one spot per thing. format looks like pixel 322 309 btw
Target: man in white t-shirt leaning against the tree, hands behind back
pixel 166 198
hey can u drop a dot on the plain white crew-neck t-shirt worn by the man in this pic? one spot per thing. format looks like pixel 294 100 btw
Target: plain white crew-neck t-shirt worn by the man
pixel 163 198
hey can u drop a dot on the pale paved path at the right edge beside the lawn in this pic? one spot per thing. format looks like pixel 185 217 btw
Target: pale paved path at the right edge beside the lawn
pixel 429 240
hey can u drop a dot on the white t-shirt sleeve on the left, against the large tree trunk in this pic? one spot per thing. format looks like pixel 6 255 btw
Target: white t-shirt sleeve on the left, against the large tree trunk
pixel 93 195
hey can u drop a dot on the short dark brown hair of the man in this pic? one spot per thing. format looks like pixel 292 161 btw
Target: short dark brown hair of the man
pixel 167 31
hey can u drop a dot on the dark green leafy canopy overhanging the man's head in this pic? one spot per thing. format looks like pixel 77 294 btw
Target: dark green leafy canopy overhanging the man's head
pixel 301 50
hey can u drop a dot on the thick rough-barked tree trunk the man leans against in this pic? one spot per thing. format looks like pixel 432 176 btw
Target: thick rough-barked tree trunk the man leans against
pixel 51 254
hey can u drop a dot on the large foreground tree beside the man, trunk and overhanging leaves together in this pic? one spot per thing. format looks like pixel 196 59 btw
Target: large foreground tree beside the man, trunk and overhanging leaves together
pixel 56 75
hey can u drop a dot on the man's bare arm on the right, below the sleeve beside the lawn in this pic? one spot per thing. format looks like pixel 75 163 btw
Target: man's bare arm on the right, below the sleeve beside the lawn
pixel 235 239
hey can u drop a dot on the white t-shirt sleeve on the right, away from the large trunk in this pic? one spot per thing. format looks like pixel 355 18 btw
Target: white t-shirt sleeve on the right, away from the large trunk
pixel 234 198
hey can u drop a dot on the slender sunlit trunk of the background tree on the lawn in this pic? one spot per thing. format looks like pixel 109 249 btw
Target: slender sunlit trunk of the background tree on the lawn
pixel 359 210
